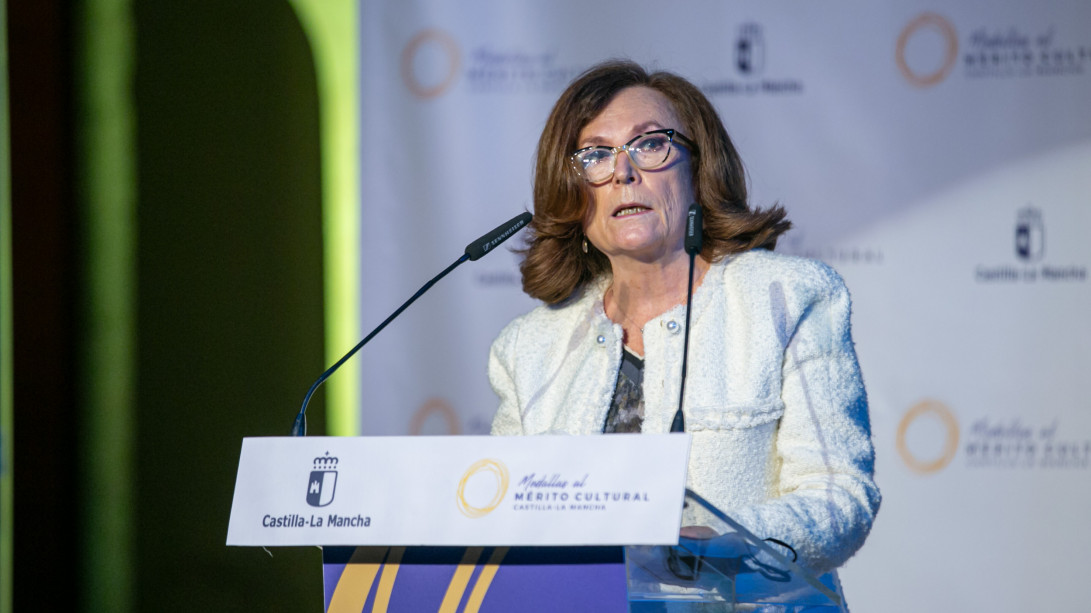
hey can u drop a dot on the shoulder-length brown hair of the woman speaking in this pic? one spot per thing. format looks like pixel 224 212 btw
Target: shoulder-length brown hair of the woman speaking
pixel 555 265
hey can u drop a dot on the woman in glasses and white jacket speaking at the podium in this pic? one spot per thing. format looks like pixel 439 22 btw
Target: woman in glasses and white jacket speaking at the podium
pixel 774 398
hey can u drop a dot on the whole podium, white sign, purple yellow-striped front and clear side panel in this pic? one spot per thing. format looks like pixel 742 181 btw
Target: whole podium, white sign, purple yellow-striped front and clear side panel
pixel 500 554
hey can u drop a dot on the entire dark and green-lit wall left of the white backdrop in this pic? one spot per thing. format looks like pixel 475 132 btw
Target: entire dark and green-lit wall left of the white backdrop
pixel 190 275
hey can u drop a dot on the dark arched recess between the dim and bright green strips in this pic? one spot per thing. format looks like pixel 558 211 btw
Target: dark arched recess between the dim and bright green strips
pixel 230 295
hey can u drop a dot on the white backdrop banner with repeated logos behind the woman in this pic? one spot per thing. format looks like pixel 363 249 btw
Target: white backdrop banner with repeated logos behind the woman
pixel 939 155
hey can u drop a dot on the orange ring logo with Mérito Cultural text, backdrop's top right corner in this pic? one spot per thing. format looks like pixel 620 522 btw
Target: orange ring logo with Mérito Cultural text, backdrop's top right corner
pixel 929 51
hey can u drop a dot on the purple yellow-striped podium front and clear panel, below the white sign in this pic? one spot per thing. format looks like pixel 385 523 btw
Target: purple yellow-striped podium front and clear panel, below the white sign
pixel 732 573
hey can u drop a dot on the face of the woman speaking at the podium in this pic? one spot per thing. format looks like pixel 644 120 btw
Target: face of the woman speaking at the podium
pixel 639 214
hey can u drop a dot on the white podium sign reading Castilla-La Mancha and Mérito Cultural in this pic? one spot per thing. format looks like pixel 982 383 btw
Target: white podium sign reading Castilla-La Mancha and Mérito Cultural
pixel 487 491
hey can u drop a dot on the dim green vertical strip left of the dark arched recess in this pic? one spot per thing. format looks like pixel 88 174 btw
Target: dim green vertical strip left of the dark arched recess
pixel 107 184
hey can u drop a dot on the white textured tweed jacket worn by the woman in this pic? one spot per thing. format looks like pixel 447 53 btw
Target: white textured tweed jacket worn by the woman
pixel 775 401
